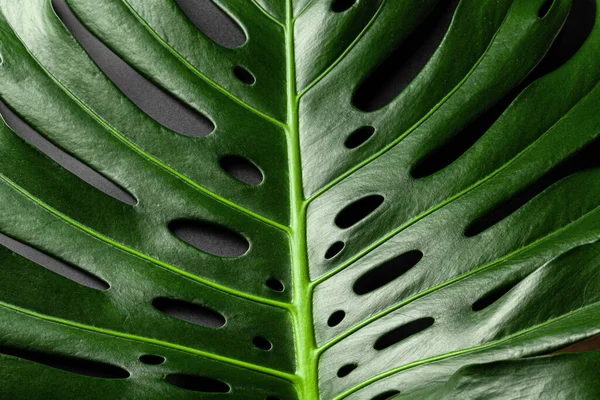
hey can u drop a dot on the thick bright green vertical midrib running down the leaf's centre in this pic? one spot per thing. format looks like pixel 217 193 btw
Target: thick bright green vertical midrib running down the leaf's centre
pixel 302 304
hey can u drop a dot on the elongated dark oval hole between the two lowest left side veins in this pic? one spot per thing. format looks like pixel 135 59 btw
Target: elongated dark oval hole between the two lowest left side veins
pixel 190 312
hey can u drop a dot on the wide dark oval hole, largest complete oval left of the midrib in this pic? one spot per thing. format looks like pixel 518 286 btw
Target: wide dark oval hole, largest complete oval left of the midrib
pixel 210 238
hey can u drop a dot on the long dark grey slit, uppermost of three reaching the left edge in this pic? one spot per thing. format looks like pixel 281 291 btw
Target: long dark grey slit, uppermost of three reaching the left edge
pixel 64 159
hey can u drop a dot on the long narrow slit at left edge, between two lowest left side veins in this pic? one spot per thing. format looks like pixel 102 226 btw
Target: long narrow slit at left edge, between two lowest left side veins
pixel 59 267
